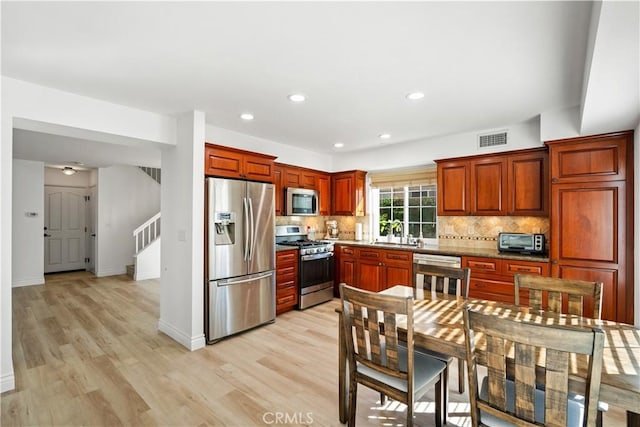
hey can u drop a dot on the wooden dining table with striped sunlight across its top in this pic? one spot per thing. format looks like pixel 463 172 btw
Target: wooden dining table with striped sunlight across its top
pixel 438 326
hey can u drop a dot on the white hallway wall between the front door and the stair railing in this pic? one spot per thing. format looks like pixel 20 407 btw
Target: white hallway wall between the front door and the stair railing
pixel 127 197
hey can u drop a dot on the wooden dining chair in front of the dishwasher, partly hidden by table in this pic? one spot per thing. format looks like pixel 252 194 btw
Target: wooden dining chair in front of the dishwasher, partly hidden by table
pixel 448 280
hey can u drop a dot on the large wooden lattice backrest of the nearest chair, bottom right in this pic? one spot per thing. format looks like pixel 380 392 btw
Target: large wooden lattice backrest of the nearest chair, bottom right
pixel 502 344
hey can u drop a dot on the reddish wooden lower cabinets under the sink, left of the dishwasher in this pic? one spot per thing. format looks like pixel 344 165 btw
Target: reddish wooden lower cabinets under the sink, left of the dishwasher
pixel 373 269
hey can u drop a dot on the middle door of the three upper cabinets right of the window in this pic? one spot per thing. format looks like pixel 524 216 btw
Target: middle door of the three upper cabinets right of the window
pixel 488 186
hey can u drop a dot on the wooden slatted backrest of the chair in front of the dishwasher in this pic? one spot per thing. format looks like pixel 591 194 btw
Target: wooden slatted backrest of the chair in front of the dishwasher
pixel 447 280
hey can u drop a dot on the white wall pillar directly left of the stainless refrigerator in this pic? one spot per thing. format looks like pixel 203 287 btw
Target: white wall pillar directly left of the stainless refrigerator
pixel 182 252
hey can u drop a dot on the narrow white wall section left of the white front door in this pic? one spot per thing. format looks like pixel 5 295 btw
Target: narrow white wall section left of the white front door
pixel 27 231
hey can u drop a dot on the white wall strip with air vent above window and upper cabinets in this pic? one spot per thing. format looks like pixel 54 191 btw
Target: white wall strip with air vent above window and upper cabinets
pixel 521 135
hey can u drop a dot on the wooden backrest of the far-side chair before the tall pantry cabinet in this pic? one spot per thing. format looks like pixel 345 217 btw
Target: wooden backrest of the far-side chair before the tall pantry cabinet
pixel 556 289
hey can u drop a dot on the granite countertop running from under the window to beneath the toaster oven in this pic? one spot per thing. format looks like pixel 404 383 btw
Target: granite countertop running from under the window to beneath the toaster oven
pixel 447 250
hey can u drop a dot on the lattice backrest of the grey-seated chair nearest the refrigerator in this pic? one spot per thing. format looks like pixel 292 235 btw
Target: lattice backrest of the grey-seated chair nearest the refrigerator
pixel 370 328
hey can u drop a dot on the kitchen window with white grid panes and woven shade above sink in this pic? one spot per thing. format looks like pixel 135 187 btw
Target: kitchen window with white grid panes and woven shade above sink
pixel 403 202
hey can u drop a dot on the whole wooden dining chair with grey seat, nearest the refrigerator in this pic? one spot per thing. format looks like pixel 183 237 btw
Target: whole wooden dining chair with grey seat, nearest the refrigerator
pixel 377 361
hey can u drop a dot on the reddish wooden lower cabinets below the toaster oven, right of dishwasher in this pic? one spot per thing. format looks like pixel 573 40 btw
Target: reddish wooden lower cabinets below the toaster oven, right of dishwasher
pixel 492 278
